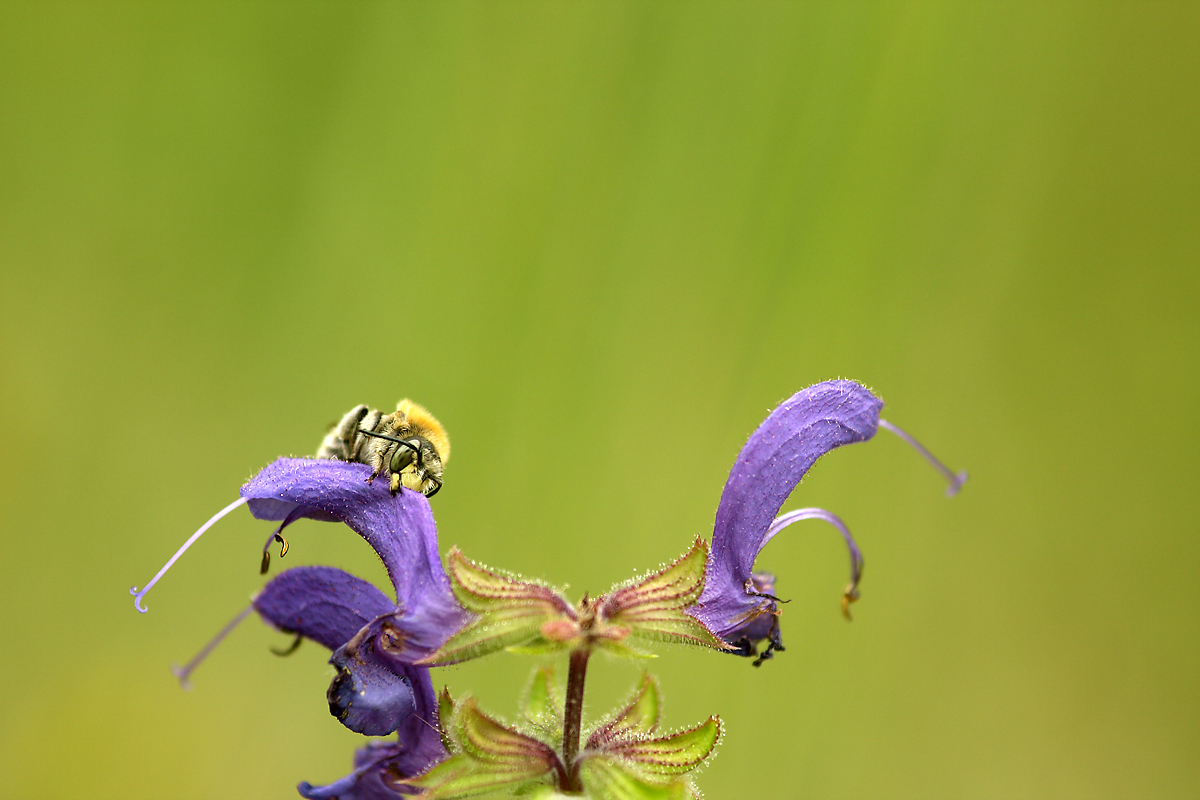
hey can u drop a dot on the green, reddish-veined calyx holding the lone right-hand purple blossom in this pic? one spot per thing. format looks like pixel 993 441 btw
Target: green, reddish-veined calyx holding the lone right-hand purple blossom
pixel 655 607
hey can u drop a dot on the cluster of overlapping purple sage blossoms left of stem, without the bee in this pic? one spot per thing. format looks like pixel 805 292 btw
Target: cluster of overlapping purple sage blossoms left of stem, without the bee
pixel 375 641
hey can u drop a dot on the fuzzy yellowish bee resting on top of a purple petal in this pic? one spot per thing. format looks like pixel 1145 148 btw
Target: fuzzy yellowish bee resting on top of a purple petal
pixel 410 446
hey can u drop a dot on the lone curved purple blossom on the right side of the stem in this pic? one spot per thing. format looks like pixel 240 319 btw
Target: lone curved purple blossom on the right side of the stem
pixel 739 605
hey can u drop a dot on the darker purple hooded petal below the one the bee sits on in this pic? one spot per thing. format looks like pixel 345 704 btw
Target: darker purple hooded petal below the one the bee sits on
pixel 322 604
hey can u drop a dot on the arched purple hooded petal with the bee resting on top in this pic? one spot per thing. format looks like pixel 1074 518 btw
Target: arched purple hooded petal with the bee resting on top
pixel 399 528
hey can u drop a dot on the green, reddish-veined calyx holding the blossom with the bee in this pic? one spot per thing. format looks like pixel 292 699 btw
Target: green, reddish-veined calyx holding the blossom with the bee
pixel 508 612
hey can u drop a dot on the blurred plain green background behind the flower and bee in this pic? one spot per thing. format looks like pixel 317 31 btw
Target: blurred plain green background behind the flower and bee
pixel 601 242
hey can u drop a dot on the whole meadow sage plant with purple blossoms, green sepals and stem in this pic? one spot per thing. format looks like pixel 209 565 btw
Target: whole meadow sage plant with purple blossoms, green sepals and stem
pixel 447 748
